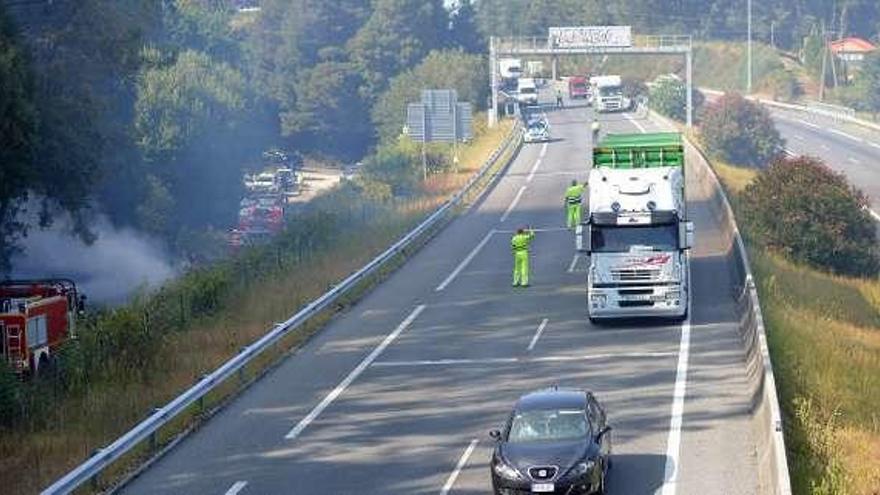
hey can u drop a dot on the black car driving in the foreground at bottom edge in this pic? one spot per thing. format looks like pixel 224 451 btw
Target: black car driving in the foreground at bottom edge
pixel 555 441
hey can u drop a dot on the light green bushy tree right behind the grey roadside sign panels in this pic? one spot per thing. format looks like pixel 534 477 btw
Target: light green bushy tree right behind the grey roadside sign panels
pixel 449 69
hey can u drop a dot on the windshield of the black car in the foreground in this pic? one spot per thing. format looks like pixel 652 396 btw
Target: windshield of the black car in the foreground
pixel 548 425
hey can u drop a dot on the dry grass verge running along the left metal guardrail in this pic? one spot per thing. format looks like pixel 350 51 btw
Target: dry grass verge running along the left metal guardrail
pixel 31 460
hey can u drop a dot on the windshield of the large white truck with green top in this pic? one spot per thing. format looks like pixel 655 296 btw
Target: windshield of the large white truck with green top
pixel 622 239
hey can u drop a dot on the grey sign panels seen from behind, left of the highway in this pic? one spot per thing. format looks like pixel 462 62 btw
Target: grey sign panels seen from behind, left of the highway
pixel 439 117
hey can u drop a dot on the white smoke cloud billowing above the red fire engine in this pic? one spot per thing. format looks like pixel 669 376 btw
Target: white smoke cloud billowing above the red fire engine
pixel 119 262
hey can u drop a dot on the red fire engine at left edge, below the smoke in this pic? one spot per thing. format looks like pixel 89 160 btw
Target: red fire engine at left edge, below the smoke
pixel 36 317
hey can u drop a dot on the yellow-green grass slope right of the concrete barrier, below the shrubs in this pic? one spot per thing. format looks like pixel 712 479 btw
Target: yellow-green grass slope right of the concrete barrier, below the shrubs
pixel 824 337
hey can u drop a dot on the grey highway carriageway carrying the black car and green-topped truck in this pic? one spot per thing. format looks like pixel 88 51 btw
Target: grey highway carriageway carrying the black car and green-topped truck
pixel 397 395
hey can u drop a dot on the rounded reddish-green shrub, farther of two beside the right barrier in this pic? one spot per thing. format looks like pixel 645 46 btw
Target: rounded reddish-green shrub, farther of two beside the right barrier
pixel 740 132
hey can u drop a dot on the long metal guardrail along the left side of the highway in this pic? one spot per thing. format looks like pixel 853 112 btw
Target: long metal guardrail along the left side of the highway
pixel 142 432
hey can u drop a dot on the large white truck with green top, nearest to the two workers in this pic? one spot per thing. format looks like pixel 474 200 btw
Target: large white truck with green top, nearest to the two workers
pixel 636 232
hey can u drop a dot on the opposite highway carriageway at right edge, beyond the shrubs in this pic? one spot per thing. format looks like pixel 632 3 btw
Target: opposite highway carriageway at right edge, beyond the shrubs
pixel 845 147
